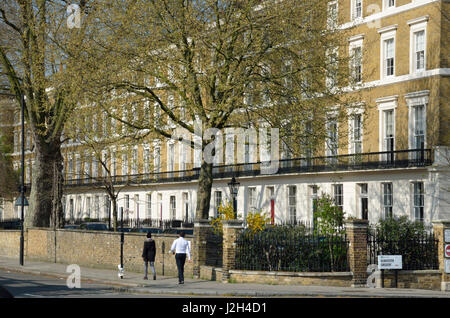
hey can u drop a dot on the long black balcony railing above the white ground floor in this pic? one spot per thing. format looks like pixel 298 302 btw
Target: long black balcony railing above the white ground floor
pixel 350 162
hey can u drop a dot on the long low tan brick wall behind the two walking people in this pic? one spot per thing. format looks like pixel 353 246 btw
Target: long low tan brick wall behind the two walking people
pixel 91 248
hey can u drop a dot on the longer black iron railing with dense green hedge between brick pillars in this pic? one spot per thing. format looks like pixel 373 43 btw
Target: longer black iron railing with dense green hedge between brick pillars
pixel 291 251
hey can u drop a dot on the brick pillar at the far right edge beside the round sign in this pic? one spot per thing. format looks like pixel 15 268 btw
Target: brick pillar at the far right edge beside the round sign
pixel 440 228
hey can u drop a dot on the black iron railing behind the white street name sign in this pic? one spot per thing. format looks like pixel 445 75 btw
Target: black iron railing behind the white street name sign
pixel 419 251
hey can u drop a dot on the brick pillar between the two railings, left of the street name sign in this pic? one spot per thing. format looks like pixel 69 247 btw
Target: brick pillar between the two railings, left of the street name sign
pixel 356 231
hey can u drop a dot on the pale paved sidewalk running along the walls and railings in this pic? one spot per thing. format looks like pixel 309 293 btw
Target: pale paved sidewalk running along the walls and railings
pixel 133 283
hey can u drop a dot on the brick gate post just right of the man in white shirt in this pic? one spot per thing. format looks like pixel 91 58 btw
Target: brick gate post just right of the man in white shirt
pixel 201 230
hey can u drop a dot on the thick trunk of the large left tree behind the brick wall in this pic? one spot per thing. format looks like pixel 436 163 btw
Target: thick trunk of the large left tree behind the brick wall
pixel 46 189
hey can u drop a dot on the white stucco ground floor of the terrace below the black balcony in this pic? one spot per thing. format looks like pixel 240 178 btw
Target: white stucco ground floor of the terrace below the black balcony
pixel 421 193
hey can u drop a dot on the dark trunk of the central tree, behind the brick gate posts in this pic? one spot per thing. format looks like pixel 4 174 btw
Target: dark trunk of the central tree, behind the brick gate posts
pixel 204 190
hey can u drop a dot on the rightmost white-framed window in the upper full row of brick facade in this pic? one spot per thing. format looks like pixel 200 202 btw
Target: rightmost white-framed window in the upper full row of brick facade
pixel 418 44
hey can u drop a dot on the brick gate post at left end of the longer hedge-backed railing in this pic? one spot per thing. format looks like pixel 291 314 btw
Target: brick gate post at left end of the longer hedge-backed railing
pixel 231 228
